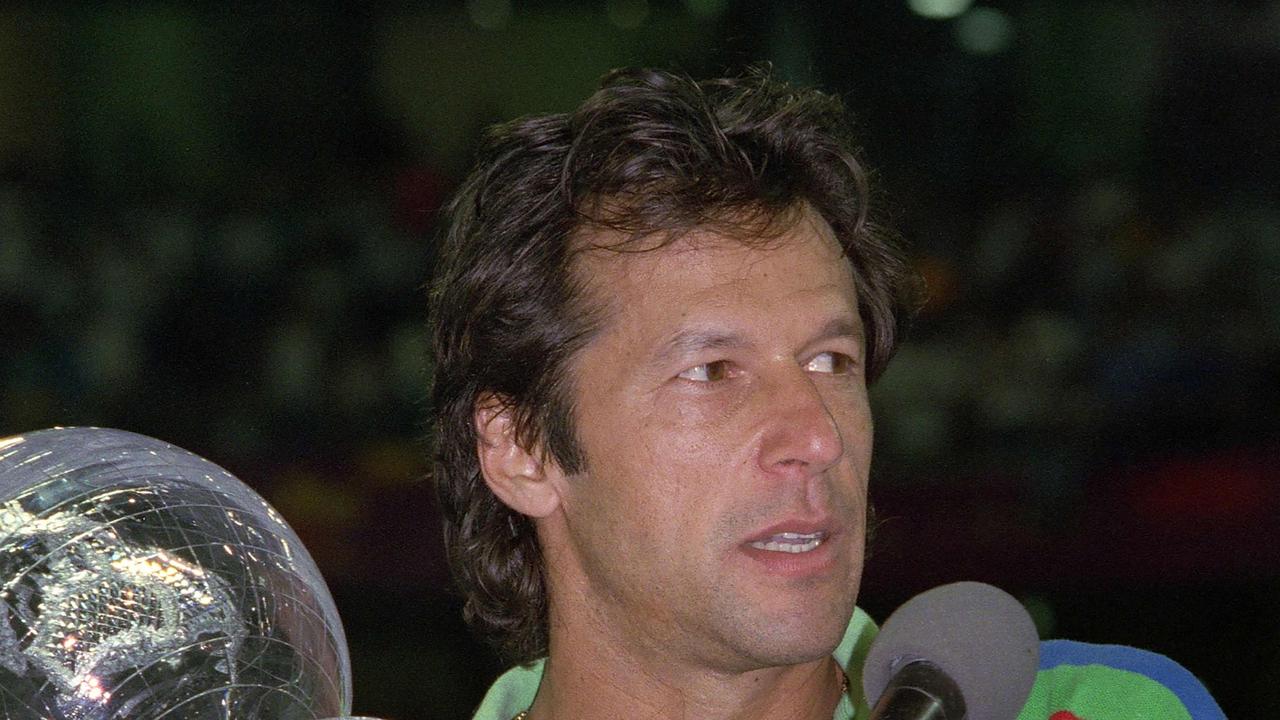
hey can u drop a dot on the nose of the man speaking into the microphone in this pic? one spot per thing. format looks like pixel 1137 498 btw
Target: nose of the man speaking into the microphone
pixel 802 436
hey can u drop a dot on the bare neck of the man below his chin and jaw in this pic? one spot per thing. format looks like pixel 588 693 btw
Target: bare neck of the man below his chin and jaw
pixel 578 686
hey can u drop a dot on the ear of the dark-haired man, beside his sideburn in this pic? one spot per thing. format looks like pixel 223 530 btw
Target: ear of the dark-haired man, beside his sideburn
pixel 516 475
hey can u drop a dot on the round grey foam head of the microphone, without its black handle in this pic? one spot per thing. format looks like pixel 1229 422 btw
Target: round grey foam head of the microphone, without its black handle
pixel 979 635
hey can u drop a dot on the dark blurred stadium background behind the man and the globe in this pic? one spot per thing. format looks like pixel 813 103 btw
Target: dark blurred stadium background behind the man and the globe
pixel 216 225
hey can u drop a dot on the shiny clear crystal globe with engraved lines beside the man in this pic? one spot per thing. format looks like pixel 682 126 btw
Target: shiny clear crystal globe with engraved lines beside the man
pixel 139 581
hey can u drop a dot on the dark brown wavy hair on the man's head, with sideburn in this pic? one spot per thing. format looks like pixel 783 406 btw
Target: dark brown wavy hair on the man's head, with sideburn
pixel 651 154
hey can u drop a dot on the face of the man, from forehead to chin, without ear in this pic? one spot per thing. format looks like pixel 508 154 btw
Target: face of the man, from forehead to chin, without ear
pixel 723 412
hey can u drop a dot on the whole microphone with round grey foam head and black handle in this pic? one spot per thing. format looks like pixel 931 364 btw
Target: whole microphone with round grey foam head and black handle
pixel 964 651
